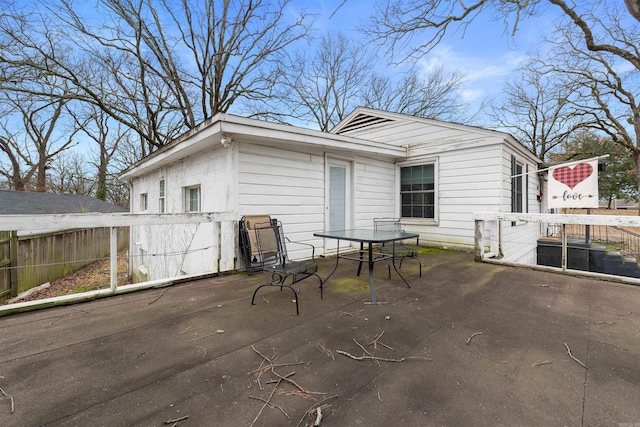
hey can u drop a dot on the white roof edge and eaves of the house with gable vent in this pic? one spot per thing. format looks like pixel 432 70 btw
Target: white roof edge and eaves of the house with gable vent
pixel 353 134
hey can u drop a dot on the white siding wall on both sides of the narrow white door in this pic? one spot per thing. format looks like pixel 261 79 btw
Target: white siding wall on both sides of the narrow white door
pixel 290 185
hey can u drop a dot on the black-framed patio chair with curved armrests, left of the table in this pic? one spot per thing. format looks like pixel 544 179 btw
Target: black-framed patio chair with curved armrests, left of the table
pixel 269 246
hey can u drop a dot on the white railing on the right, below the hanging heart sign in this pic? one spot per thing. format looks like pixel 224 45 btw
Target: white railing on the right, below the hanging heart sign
pixel 488 244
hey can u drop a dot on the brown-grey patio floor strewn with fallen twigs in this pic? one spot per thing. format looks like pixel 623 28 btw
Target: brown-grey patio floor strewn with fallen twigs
pixel 473 344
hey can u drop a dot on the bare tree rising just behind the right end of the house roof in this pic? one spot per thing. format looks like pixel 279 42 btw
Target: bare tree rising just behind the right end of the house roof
pixel 536 110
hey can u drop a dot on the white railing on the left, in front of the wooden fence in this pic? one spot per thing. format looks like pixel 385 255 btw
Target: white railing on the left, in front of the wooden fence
pixel 225 240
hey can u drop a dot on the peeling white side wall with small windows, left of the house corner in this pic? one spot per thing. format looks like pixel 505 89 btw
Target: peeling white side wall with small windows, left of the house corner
pixel 169 251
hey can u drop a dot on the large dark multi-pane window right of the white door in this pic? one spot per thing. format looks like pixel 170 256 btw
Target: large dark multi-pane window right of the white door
pixel 417 191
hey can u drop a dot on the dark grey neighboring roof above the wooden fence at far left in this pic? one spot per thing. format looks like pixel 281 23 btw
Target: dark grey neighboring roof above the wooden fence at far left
pixel 22 202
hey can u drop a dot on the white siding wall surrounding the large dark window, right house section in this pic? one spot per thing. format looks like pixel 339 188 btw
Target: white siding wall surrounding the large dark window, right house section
pixel 473 170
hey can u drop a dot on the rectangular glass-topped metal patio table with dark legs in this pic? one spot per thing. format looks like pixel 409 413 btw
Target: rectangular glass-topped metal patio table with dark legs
pixel 370 237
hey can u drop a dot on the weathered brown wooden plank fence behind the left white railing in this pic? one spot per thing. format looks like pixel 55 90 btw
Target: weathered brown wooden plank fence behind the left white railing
pixel 31 260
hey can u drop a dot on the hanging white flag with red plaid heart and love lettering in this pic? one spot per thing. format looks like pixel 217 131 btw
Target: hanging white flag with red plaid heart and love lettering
pixel 573 185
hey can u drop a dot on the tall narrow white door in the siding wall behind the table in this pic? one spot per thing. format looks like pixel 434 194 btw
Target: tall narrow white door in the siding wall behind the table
pixel 338 199
